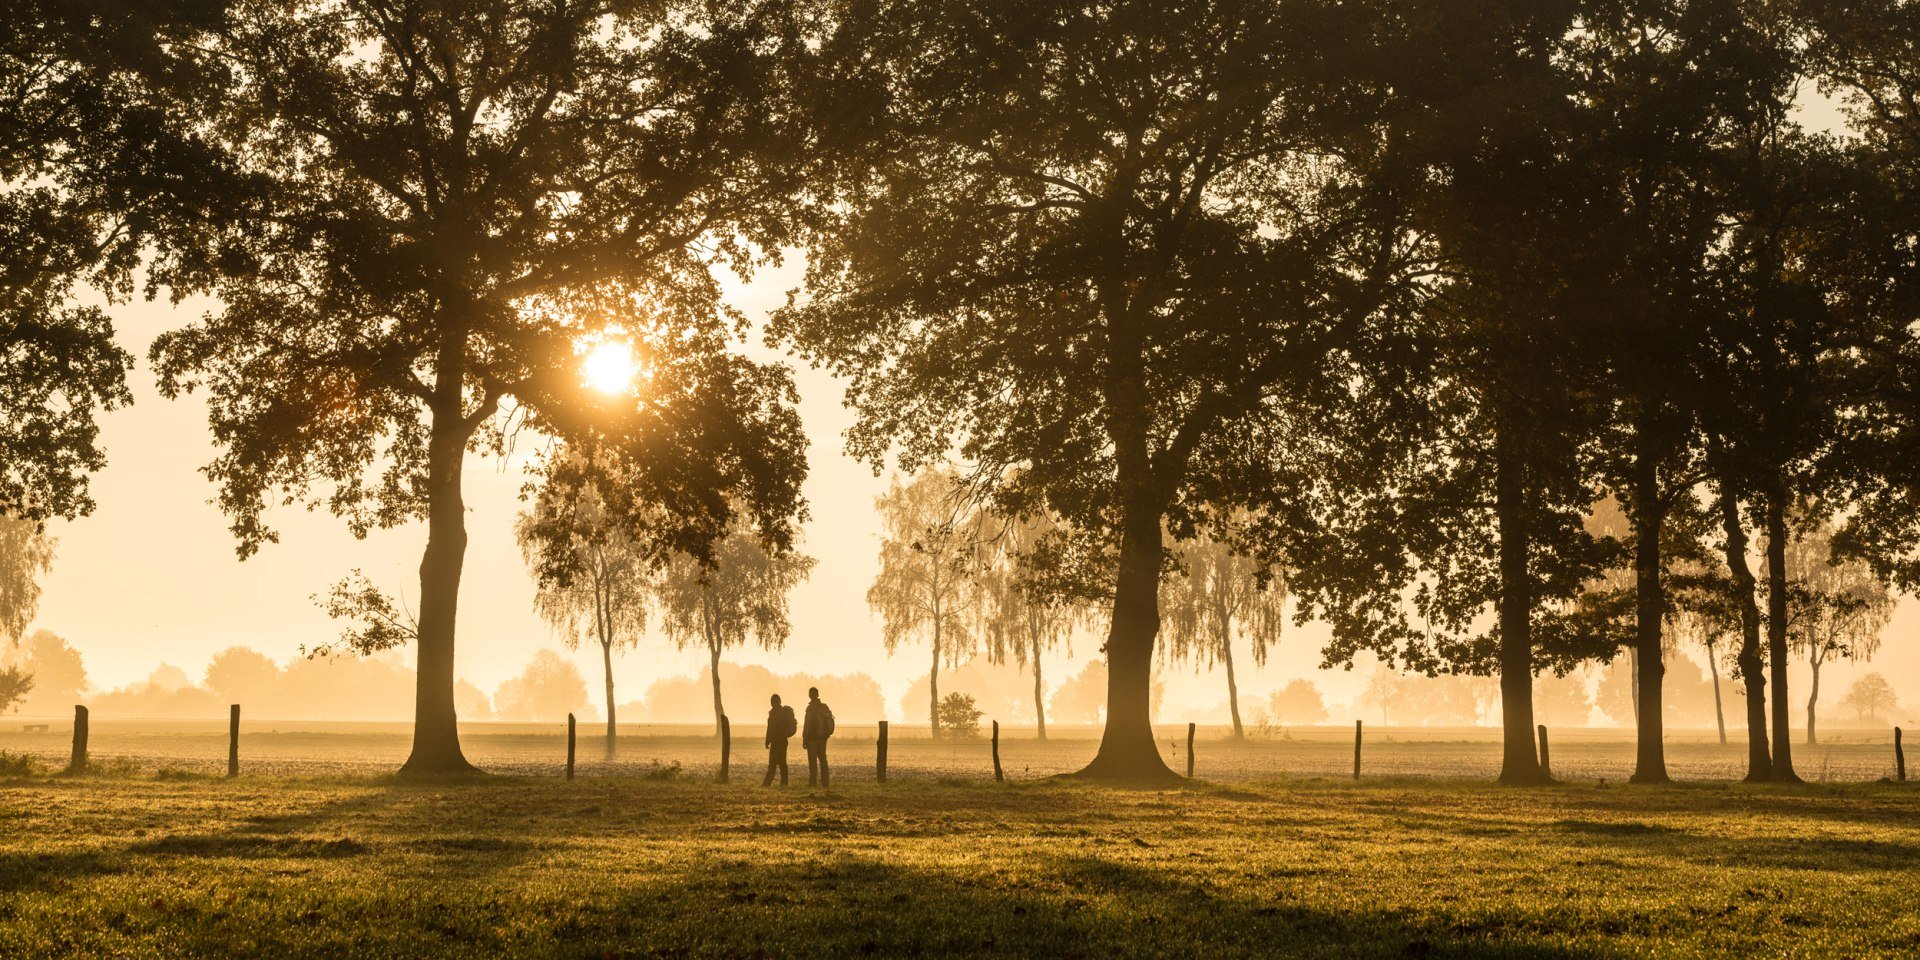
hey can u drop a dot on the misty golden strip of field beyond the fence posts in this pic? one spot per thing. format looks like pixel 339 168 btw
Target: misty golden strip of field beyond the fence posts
pixel 291 748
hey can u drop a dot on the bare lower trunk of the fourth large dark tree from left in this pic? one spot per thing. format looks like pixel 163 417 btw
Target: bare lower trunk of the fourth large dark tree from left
pixel 1650 608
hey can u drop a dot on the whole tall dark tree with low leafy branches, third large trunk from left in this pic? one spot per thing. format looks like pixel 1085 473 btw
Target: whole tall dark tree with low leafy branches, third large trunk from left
pixel 1468 564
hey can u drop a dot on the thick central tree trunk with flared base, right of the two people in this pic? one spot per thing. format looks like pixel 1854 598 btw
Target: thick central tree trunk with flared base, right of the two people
pixel 1128 750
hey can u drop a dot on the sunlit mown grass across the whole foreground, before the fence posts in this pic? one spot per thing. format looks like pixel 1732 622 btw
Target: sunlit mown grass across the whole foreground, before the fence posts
pixel 679 867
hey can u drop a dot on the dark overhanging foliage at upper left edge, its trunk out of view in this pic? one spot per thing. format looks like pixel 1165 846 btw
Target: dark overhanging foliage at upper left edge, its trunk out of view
pixel 84 147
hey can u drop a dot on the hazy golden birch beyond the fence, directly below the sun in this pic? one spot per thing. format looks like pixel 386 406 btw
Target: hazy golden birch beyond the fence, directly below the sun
pixel 587 565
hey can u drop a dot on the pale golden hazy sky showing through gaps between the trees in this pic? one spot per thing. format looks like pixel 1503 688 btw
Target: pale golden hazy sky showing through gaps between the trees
pixel 153 575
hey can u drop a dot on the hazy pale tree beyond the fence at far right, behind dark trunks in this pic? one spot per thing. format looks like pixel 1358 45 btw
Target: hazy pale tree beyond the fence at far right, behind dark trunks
pixel 1836 608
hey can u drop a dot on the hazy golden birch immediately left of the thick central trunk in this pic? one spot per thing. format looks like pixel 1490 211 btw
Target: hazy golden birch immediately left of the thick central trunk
pixel 1026 615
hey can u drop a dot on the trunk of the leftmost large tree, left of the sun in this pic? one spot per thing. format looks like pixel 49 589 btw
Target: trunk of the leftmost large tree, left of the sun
pixel 437 742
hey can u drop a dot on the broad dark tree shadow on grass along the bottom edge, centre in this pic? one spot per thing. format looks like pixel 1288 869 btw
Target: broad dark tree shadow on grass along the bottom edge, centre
pixel 1076 907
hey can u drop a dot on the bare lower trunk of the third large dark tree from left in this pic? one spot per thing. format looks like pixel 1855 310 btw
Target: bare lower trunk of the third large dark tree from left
pixel 1520 763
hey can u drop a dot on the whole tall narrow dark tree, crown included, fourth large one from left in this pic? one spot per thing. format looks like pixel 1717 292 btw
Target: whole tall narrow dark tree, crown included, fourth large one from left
pixel 1671 87
